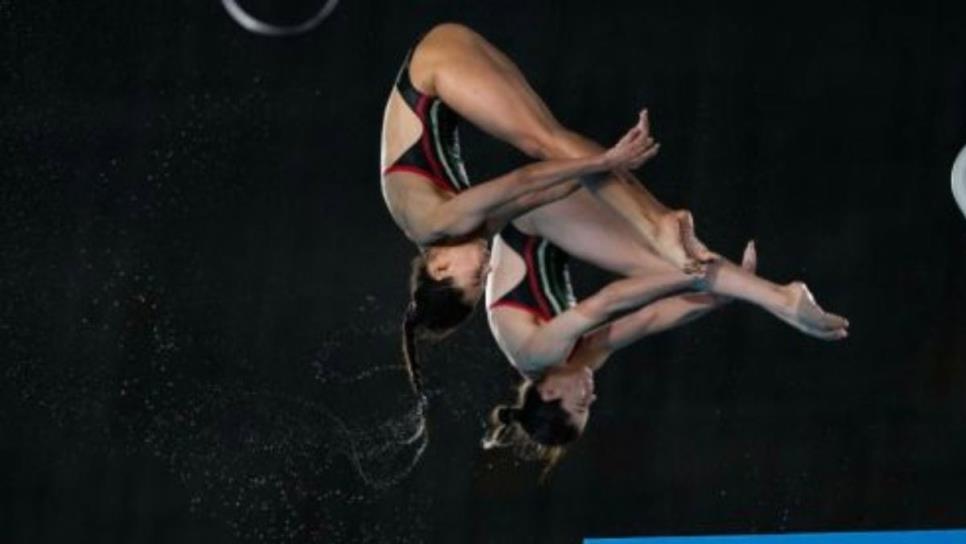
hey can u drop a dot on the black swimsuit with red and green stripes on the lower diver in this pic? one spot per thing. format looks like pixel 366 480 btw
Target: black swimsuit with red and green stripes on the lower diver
pixel 545 291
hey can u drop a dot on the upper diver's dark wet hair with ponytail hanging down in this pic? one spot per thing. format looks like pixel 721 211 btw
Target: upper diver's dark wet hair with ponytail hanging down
pixel 437 307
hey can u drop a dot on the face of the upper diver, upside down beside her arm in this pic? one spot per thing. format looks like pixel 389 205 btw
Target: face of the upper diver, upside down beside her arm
pixel 467 264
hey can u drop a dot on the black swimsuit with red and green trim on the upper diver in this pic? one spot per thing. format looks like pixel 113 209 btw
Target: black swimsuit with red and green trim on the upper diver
pixel 436 156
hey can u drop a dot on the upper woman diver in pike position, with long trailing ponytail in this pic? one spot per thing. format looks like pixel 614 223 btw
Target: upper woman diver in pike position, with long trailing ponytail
pixel 453 73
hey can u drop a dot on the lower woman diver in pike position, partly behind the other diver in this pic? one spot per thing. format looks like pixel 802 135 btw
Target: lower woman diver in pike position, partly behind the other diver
pixel 557 344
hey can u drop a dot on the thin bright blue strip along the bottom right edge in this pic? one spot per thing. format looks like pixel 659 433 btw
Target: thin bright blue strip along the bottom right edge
pixel 892 537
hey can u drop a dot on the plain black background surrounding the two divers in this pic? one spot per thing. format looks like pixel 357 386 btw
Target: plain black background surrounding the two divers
pixel 201 287
